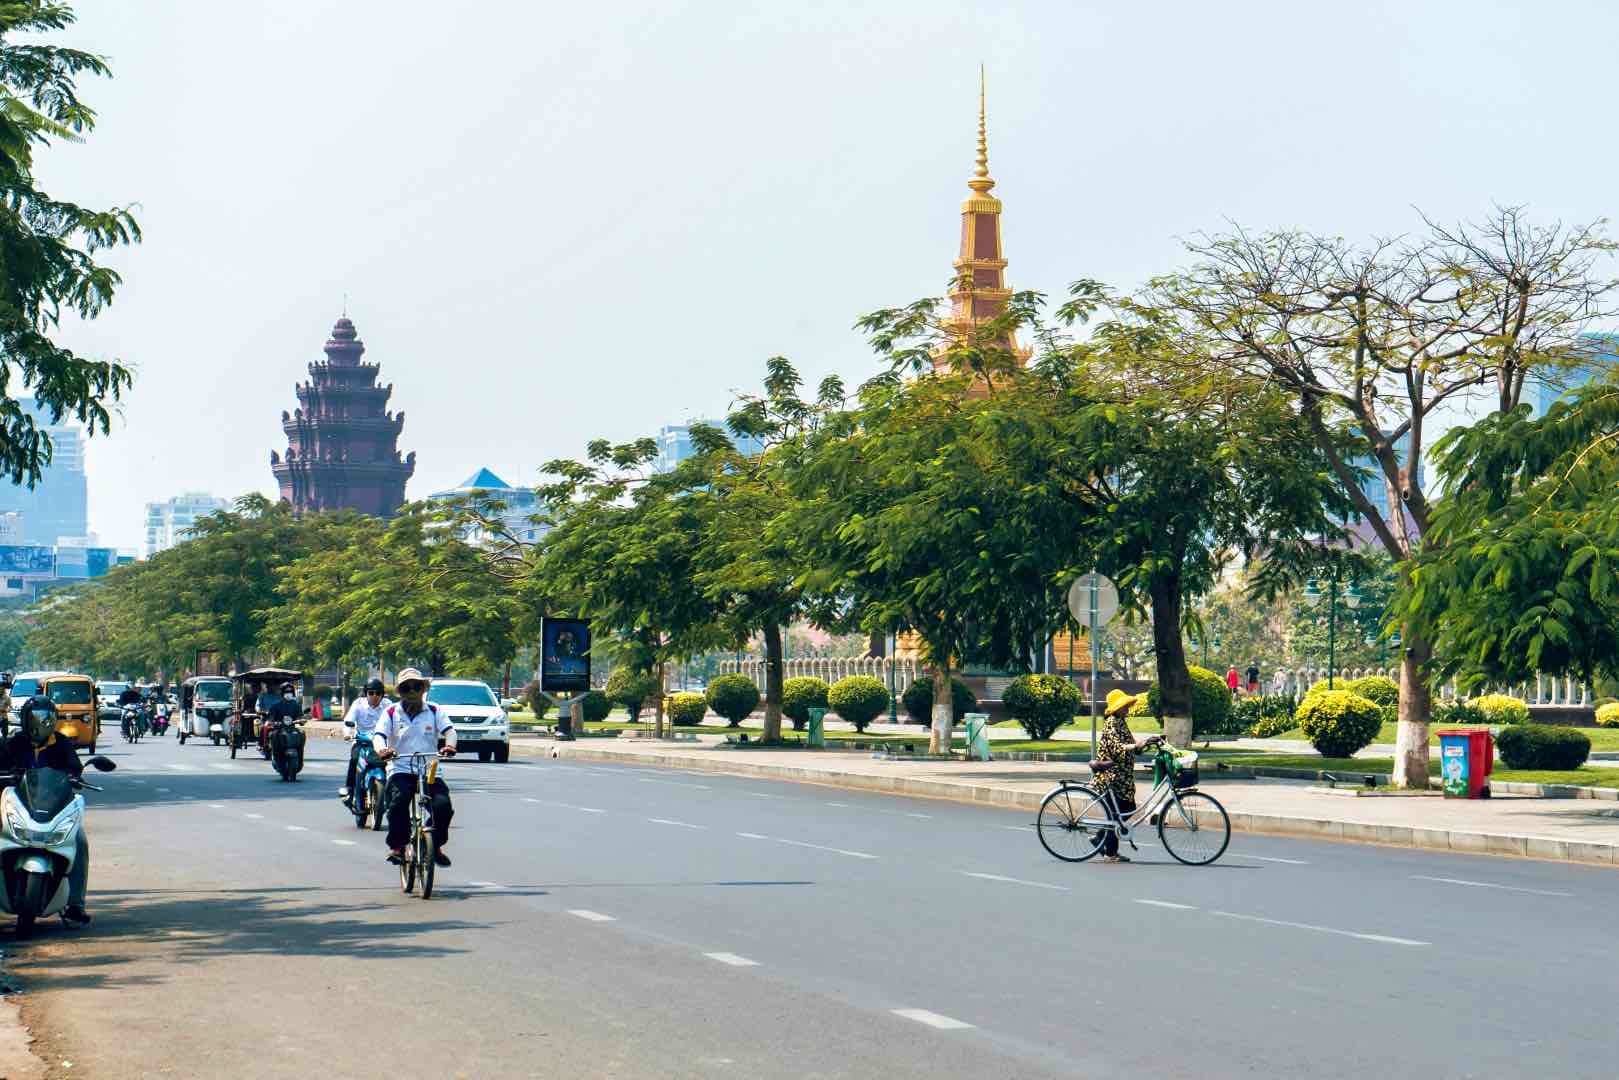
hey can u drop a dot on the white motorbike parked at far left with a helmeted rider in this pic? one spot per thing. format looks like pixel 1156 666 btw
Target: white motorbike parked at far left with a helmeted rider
pixel 41 817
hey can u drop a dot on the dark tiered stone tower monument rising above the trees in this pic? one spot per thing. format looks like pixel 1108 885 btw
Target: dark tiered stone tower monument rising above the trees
pixel 342 441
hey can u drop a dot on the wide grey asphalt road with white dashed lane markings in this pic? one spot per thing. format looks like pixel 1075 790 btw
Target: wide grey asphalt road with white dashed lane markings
pixel 621 922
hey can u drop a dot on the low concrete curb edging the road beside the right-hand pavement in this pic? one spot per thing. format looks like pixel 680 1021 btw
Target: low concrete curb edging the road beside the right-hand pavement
pixel 1270 825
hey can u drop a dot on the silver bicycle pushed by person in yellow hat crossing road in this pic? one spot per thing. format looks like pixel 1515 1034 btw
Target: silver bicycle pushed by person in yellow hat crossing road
pixel 1192 827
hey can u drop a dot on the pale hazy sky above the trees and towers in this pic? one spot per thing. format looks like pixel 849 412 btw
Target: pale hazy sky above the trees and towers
pixel 561 223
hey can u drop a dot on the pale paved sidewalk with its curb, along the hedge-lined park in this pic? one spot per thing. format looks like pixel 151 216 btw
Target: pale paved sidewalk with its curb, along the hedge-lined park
pixel 1508 825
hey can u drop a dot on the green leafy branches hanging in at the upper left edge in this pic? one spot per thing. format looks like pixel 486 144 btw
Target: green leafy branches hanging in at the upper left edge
pixel 48 247
